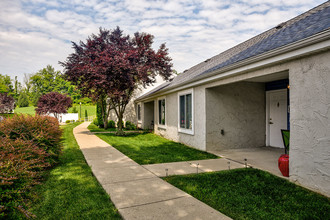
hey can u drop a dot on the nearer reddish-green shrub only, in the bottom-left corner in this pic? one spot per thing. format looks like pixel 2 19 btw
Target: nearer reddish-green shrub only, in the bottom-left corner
pixel 22 163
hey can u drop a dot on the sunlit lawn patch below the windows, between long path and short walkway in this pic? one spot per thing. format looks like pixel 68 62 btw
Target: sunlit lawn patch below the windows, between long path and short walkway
pixel 148 148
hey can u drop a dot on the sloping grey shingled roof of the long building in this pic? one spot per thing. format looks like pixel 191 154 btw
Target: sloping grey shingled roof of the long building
pixel 301 27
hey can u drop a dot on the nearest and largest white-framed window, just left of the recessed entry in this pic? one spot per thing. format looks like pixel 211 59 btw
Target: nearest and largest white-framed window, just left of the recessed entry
pixel 186 112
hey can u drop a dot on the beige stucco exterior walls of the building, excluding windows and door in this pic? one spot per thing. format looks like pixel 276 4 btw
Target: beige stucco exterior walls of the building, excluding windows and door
pixel 236 104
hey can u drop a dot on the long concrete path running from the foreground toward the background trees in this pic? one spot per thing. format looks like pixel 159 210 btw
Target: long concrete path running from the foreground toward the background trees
pixel 136 192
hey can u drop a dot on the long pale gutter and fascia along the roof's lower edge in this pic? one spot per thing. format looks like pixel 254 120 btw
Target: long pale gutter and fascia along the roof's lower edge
pixel 317 42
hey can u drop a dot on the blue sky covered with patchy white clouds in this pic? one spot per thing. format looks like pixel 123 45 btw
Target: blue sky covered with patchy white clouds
pixel 37 33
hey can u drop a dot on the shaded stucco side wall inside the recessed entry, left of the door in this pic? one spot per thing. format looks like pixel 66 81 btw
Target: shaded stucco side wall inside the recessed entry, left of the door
pixel 238 109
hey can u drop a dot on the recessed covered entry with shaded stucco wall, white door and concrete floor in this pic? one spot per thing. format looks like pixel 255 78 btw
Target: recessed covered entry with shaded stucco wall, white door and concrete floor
pixel 244 120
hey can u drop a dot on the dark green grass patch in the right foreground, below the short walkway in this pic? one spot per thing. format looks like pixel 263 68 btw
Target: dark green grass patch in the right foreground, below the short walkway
pixel 253 194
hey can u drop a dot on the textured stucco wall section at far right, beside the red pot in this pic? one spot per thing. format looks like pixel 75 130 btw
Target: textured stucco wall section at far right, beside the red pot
pixel 310 122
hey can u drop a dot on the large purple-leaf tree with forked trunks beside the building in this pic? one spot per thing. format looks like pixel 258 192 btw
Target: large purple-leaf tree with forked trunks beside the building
pixel 108 67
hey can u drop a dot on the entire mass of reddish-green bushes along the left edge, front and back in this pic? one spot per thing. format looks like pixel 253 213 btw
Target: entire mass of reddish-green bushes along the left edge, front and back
pixel 29 145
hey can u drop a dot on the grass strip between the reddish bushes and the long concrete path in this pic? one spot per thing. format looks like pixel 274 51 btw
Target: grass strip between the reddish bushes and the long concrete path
pixel 71 191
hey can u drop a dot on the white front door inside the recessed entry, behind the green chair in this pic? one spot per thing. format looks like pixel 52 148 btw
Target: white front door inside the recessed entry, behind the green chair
pixel 277 117
